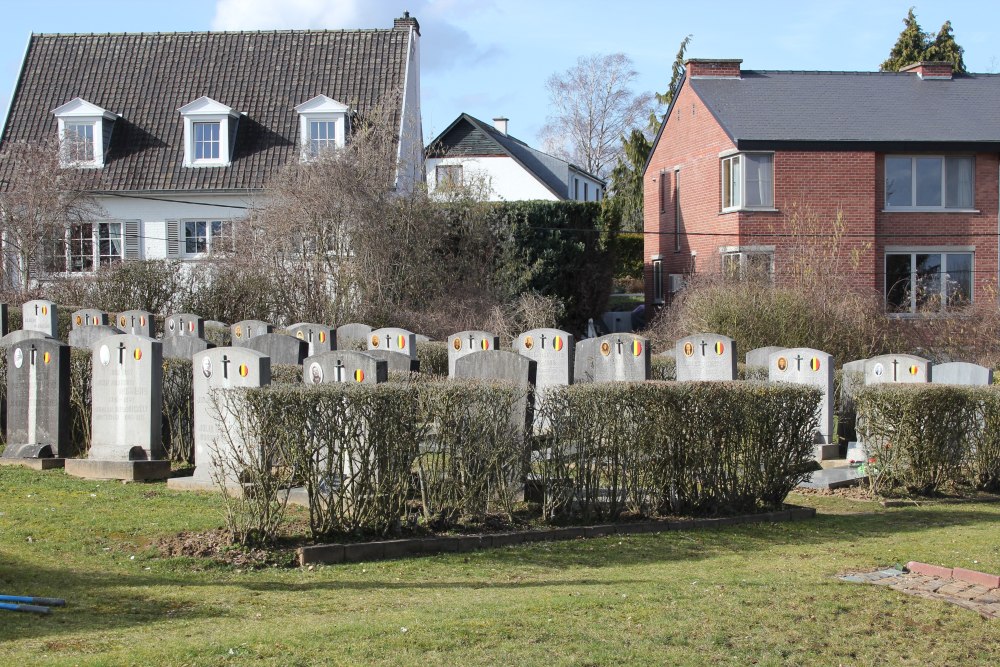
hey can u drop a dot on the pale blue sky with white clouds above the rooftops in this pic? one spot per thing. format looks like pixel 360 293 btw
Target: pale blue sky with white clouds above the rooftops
pixel 490 58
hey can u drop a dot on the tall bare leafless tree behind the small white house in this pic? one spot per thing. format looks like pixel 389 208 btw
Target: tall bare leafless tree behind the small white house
pixel 593 107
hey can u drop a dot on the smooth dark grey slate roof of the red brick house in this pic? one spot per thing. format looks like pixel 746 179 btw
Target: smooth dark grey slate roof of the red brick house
pixel 867 109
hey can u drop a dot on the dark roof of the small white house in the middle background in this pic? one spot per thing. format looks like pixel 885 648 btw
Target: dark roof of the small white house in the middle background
pixel 469 136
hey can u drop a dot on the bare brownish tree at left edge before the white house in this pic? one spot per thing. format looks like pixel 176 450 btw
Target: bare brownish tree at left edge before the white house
pixel 39 200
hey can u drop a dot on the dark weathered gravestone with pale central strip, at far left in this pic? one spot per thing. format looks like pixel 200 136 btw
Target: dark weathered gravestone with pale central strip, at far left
pixel 38 409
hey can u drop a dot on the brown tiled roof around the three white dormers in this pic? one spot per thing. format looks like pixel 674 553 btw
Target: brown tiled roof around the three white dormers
pixel 146 77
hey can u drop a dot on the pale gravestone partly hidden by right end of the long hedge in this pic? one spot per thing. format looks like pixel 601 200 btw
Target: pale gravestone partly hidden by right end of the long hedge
pixel 802 365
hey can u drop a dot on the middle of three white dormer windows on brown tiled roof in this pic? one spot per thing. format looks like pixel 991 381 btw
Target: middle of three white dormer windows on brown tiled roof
pixel 209 133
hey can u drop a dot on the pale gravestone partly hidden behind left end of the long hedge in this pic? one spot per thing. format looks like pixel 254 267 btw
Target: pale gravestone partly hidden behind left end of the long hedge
pixel 214 370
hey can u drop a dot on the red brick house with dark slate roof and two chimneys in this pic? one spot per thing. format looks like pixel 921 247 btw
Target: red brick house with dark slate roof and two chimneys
pixel 907 161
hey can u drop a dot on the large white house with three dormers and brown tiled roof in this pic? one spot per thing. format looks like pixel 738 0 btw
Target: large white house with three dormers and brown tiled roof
pixel 180 132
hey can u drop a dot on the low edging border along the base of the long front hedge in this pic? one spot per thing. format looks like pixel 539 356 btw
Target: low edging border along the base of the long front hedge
pixel 328 554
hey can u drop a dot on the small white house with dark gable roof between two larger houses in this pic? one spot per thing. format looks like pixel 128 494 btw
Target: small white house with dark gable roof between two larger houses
pixel 471 152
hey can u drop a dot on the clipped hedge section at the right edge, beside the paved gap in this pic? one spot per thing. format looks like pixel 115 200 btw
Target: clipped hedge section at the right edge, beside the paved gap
pixel 924 439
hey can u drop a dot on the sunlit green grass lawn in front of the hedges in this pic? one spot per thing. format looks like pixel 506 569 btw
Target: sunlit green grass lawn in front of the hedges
pixel 736 595
